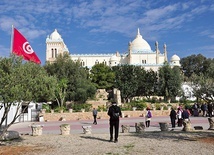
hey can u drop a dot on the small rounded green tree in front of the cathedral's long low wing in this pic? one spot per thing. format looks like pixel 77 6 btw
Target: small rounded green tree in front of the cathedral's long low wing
pixel 102 76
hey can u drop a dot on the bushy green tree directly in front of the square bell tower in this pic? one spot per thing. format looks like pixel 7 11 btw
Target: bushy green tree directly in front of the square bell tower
pixel 71 79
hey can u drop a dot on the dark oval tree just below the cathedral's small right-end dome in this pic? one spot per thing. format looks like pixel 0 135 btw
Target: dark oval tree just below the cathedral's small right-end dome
pixel 169 82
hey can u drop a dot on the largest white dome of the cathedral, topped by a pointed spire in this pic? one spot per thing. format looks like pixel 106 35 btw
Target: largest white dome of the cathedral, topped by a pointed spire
pixel 139 44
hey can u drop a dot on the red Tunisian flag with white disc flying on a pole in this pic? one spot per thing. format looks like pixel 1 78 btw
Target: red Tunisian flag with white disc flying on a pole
pixel 21 47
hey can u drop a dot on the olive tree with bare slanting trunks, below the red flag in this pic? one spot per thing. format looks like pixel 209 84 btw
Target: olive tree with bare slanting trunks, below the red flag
pixel 22 82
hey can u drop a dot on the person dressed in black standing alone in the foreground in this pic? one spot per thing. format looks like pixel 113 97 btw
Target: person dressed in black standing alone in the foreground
pixel 114 112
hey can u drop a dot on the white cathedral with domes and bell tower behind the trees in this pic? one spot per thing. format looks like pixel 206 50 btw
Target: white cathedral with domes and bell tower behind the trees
pixel 139 54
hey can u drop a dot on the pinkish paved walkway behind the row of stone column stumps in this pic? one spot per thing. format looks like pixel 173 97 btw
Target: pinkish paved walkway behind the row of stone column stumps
pixel 52 127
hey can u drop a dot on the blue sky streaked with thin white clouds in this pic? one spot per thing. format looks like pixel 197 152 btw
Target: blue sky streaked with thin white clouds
pixel 107 26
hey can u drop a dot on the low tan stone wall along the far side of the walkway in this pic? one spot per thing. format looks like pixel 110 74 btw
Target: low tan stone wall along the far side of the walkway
pixel 101 115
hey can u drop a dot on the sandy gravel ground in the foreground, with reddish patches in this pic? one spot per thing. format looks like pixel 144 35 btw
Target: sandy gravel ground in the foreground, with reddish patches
pixel 153 143
